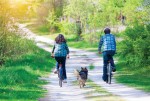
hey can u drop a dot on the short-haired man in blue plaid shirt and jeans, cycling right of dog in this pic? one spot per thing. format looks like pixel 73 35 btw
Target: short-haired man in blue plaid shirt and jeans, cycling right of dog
pixel 109 49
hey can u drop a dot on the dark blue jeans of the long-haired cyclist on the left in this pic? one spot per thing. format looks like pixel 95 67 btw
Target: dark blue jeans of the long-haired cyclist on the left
pixel 61 60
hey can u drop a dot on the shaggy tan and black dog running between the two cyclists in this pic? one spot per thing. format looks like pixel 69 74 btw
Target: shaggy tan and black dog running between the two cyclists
pixel 82 76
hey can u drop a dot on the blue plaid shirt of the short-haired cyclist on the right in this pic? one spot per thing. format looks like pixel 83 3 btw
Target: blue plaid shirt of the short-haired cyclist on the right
pixel 108 42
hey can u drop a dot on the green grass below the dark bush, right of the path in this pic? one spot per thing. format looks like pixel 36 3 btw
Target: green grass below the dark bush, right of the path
pixel 138 78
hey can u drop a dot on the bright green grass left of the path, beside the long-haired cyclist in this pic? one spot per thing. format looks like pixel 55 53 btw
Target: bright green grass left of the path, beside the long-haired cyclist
pixel 19 78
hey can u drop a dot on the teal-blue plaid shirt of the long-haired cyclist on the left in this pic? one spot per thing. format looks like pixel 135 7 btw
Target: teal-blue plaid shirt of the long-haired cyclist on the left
pixel 60 50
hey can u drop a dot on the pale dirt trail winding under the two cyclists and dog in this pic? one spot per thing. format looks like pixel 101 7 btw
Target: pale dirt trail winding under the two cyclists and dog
pixel 81 58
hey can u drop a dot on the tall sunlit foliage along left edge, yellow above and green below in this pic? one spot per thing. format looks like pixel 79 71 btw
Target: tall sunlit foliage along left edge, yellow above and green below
pixel 11 44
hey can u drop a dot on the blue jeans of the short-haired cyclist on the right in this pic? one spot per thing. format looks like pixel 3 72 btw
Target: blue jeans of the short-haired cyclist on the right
pixel 107 56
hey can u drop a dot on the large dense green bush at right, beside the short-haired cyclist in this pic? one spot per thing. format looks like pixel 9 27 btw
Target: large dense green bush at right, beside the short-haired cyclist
pixel 135 48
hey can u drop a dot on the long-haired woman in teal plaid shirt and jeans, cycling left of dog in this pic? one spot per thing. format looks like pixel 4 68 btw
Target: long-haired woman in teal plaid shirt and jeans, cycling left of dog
pixel 60 51
